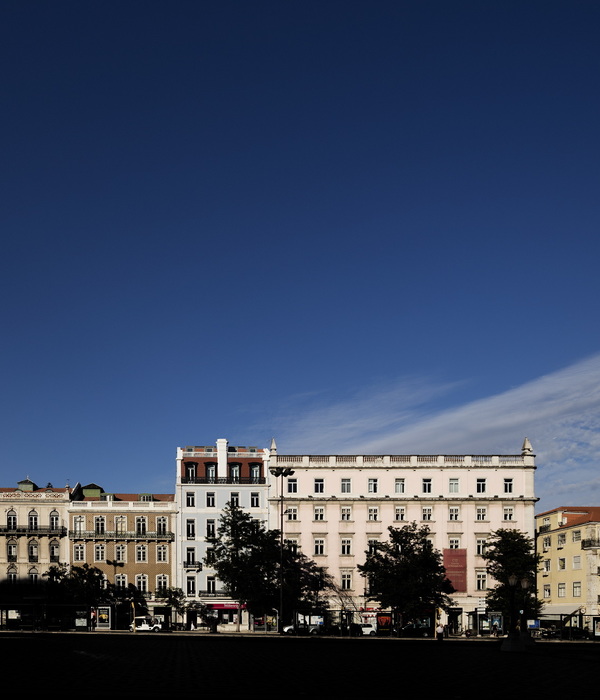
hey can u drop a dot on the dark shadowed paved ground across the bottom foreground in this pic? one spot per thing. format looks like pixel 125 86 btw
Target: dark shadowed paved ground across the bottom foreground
pixel 149 665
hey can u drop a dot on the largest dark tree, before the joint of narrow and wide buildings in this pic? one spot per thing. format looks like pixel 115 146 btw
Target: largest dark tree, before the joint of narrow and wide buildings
pixel 248 560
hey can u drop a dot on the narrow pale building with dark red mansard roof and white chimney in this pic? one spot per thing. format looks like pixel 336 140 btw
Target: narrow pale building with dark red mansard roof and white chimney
pixel 208 477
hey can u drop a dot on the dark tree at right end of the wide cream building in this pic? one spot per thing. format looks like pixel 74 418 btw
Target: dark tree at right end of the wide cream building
pixel 512 562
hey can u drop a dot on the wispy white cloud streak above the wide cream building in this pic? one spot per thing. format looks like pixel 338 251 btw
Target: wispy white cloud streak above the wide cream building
pixel 559 413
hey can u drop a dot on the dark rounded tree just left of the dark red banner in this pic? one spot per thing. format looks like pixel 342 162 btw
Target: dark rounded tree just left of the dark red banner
pixel 406 575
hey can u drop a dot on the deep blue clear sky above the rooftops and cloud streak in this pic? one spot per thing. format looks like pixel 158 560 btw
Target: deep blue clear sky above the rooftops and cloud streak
pixel 224 219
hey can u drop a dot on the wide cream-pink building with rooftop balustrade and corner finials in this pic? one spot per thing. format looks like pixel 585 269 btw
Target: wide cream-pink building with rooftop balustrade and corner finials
pixel 335 506
